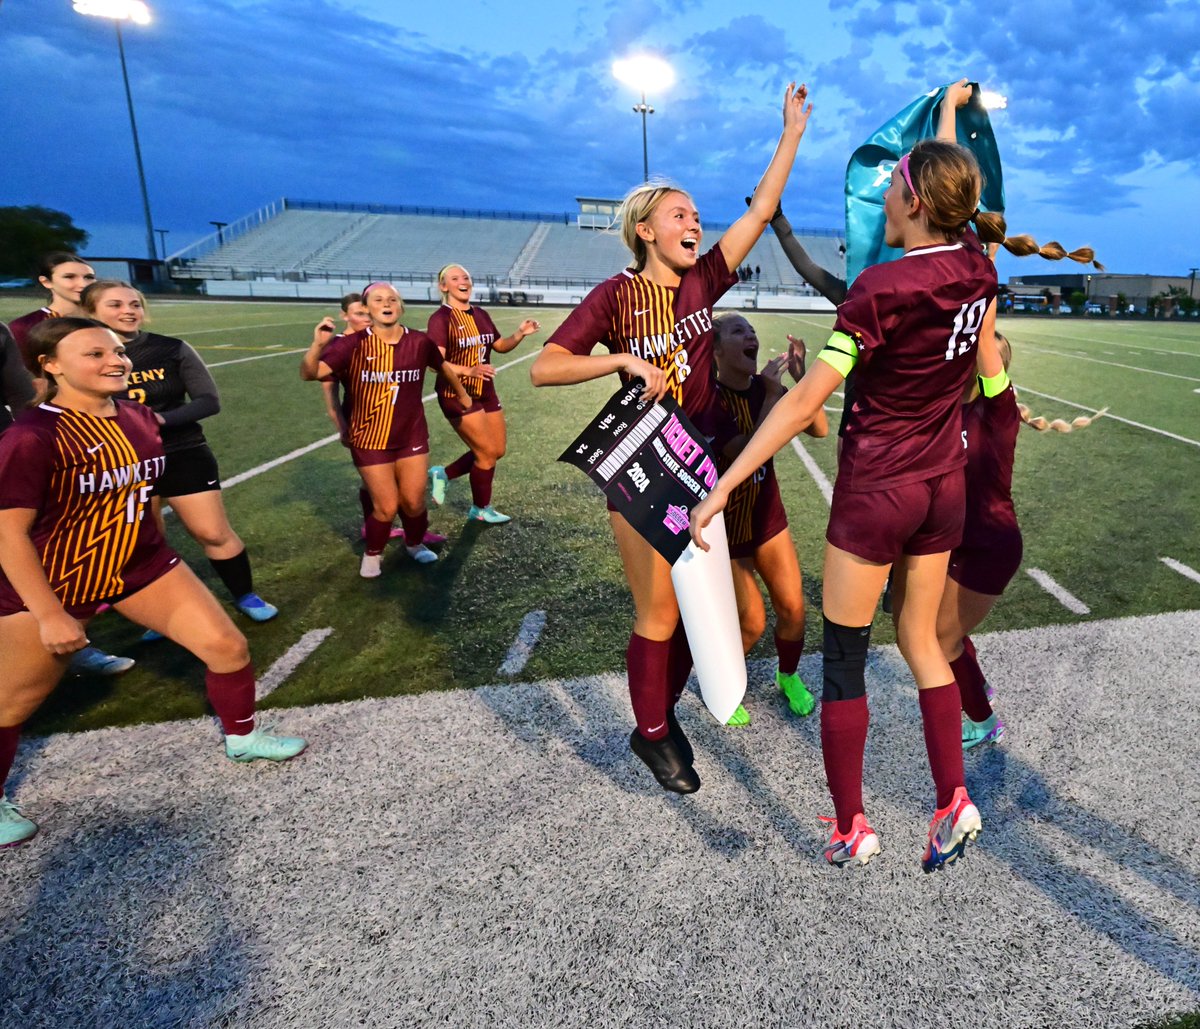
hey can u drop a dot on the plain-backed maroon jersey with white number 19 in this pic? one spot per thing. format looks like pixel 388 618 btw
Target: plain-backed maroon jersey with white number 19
pixel 916 323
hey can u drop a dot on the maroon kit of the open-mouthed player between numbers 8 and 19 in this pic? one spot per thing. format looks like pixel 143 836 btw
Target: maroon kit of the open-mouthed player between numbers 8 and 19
pixel 755 512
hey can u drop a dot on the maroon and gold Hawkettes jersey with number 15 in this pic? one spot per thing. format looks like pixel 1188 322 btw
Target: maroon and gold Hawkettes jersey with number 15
pixel 89 480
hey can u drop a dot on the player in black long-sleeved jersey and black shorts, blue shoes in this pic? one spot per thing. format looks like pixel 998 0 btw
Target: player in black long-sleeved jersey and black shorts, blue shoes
pixel 171 380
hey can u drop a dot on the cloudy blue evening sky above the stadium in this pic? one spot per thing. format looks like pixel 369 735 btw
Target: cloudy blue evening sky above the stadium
pixel 513 106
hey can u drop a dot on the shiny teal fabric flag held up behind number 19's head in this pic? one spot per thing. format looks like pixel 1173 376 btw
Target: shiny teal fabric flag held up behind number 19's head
pixel 871 171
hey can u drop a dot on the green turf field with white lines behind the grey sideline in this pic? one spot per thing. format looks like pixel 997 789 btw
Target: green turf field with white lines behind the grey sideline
pixel 1099 508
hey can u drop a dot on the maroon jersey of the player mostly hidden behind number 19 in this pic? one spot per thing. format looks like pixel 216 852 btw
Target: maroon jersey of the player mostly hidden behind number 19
pixel 992 425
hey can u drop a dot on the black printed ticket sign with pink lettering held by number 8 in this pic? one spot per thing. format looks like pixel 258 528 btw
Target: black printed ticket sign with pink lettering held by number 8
pixel 651 462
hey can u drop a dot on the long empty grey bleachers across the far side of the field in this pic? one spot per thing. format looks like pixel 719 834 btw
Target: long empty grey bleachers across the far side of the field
pixel 323 250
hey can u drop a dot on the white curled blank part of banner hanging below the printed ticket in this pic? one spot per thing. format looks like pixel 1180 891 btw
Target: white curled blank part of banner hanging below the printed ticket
pixel 704 587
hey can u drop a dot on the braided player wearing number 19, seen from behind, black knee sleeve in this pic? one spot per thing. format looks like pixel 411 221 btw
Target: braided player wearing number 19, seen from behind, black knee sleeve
pixel 915 332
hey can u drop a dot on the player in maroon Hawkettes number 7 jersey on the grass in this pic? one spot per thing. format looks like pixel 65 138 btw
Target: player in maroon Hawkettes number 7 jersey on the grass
pixel 382 370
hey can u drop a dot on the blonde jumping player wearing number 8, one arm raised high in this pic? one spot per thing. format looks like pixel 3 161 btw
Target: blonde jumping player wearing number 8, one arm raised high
pixel 656 320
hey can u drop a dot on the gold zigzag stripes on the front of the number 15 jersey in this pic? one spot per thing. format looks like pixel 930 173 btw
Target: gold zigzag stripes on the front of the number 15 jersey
pixel 97 533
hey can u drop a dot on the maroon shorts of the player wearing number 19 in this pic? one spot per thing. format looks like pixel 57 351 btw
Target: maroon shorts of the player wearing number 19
pixel 920 519
